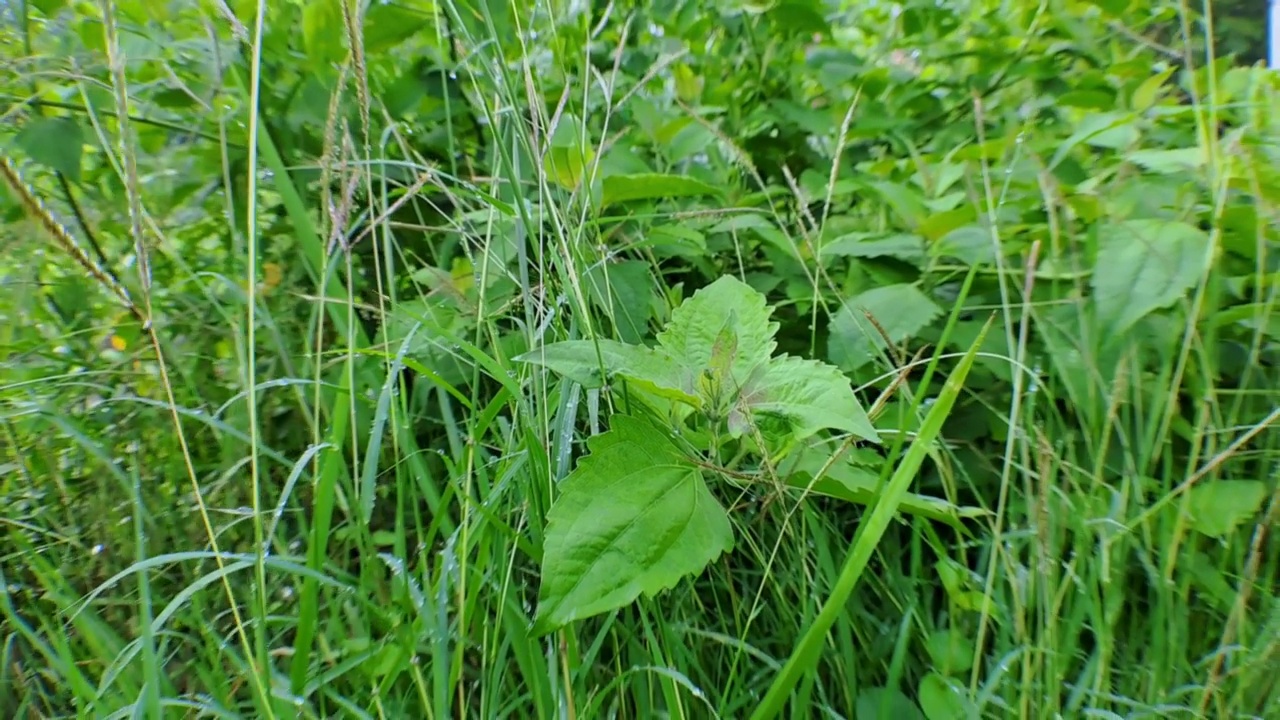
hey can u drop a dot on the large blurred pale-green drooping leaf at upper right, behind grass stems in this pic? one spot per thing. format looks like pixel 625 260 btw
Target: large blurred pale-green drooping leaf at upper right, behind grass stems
pixel 1145 266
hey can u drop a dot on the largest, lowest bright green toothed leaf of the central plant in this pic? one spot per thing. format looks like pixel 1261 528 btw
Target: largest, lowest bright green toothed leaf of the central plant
pixel 634 518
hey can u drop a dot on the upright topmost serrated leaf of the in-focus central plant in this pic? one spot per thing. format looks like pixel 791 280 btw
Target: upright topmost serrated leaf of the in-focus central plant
pixel 691 338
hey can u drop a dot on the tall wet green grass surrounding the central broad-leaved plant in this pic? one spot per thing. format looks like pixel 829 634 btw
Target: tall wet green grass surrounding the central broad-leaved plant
pixel 252 512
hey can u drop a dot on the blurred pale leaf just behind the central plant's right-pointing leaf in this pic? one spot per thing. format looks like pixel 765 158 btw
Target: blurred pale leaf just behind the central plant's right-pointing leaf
pixel 902 311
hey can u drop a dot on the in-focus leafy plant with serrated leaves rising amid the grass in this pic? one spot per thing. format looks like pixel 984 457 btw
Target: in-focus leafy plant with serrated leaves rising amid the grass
pixel 637 516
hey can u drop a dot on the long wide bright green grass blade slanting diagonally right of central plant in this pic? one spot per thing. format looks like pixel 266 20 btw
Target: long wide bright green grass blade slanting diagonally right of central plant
pixel 866 540
